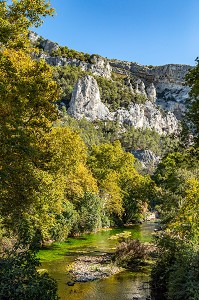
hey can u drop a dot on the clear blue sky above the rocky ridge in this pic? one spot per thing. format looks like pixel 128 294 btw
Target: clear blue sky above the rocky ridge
pixel 149 32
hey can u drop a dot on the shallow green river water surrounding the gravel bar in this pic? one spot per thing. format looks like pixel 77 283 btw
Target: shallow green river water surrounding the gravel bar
pixel 123 286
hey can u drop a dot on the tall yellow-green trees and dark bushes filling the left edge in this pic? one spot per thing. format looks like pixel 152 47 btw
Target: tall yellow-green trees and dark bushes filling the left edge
pixel 27 189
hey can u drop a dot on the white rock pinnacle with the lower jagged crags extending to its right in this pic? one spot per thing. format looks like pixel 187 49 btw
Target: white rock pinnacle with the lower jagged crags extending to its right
pixel 86 102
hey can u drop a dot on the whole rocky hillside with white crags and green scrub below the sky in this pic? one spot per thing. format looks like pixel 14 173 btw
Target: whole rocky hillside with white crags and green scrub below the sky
pixel 129 99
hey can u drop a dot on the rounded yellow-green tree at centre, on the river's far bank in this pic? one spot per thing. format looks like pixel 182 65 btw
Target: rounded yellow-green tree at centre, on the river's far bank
pixel 122 188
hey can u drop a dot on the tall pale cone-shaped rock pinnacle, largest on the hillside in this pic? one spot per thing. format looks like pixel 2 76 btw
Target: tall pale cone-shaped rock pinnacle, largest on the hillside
pixel 85 101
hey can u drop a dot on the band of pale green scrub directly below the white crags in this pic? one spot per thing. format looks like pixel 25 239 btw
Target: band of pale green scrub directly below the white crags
pixel 130 138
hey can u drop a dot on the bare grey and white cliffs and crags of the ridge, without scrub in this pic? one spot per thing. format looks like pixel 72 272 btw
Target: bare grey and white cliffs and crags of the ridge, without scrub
pixel 163 86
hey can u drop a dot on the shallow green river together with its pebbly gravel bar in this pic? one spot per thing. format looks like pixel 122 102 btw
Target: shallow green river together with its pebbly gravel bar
pixel 59 258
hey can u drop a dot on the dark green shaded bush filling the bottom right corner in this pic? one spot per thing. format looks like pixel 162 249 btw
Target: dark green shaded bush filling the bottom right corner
pixel 175 274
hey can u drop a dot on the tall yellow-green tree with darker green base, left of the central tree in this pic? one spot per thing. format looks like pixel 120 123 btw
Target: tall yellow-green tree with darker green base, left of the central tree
pixel 81 206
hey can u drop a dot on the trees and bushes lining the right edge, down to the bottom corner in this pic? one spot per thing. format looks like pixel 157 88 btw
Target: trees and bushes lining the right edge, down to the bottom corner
pixel 175 275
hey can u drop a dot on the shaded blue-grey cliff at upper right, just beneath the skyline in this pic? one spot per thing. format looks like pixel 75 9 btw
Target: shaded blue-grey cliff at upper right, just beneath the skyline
pixel 164 84
